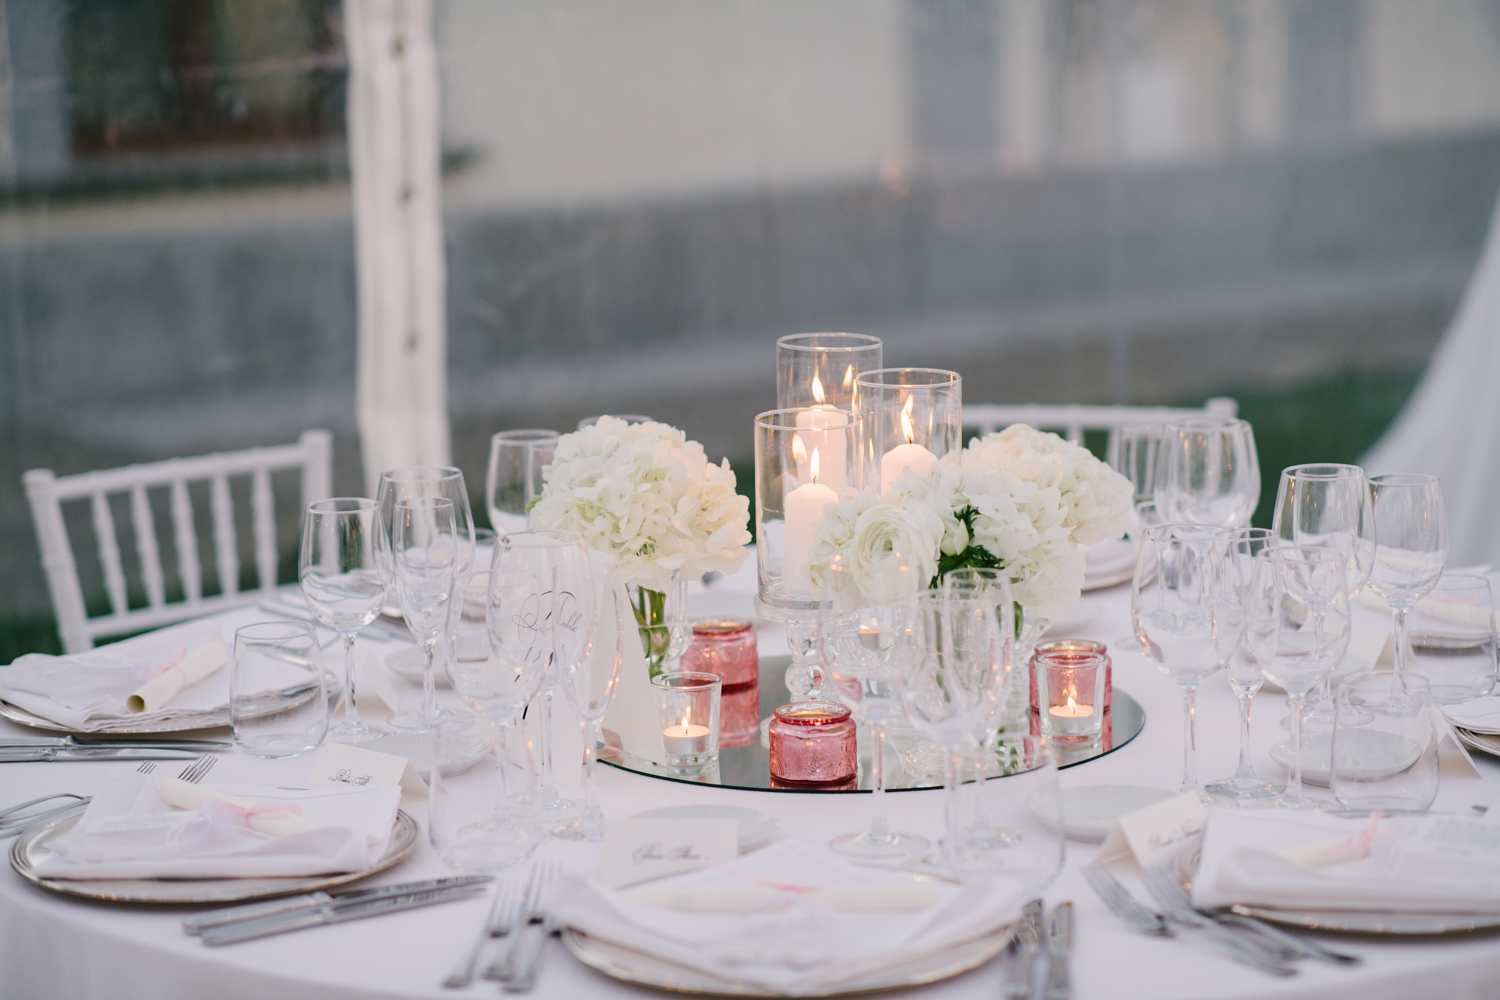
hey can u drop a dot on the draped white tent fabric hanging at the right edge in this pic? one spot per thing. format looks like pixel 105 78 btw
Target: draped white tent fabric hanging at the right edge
pixel 1451 427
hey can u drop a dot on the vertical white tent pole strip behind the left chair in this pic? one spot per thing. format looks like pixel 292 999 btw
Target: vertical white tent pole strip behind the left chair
pixel 398 224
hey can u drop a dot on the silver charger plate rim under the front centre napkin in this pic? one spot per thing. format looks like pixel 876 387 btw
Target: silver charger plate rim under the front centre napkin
pixel 647 971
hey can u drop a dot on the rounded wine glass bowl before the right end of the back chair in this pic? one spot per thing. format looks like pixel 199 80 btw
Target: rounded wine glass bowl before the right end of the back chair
pixel 1208 473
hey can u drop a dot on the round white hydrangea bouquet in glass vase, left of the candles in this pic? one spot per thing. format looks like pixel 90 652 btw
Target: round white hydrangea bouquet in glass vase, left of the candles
pixel 649 497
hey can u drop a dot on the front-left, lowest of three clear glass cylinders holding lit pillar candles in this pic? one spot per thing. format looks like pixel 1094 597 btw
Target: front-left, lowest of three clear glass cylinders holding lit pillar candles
pixel 805 460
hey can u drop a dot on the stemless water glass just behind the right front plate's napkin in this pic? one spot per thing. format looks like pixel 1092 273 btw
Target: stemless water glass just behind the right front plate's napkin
pixel 1385 755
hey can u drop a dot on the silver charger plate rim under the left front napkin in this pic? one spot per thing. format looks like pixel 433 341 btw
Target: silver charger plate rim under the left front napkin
pixel 32 846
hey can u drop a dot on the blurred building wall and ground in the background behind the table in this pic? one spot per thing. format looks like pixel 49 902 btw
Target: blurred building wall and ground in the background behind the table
pixel 1066 200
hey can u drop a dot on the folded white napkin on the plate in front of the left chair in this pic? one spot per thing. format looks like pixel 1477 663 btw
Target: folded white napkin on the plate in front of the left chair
pixel 91 692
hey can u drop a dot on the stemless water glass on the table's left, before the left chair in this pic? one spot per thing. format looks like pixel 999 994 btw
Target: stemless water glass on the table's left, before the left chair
pixel 278 704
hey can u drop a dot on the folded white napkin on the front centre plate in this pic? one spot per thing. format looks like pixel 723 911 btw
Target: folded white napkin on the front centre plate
pixel 791 942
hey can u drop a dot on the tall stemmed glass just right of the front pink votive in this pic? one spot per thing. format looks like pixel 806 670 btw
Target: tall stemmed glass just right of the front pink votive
pixel 857 650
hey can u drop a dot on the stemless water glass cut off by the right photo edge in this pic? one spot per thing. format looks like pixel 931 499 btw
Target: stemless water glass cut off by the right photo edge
pixel 1453 633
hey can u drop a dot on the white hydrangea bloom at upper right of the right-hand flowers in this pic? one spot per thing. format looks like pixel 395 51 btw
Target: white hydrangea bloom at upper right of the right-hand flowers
pixel 1097 500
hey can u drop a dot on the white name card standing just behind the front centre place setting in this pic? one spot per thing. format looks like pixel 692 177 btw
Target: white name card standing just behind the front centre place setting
pixel 641 851
